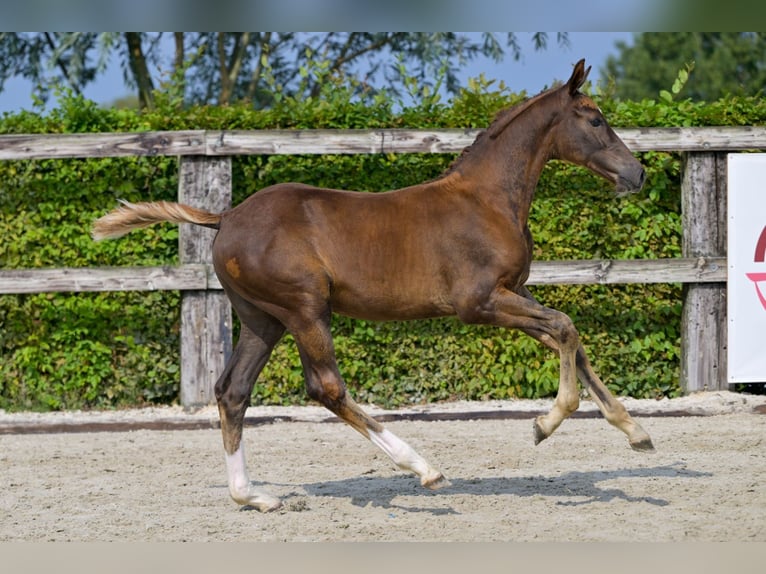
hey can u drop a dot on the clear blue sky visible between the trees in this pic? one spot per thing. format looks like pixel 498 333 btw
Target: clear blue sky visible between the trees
pixel 533 72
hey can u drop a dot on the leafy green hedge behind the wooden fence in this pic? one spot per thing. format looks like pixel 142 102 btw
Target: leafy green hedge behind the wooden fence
pixel 106 350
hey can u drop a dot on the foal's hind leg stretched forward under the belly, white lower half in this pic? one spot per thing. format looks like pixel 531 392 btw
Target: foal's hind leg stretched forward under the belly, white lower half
pixel 324 384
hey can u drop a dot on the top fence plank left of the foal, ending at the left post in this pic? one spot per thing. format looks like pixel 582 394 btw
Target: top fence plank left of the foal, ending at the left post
pixel 47 146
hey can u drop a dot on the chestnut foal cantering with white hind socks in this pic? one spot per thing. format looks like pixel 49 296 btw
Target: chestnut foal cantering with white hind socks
pixel 291 255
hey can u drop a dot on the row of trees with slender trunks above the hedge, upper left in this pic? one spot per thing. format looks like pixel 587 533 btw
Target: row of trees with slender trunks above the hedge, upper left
pixel 222 67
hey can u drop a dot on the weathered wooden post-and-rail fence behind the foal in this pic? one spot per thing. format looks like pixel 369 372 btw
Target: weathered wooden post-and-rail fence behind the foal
pixel 205 181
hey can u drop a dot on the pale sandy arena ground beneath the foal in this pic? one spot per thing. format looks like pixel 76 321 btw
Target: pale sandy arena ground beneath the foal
pixel 704 483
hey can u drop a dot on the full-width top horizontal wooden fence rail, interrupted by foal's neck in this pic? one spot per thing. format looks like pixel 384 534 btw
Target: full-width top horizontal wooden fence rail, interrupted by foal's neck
pixel 290 142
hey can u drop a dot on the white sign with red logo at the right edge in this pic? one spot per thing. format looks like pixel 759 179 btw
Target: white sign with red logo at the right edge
pixel 746 294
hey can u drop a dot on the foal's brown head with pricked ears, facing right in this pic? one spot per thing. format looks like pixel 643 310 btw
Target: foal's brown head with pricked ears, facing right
pixel 582 136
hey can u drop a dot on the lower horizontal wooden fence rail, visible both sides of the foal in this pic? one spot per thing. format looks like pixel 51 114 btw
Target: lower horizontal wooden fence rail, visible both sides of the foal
pixel 197 277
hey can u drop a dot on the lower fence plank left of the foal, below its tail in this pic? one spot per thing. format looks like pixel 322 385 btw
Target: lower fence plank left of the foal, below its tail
pixel 20 281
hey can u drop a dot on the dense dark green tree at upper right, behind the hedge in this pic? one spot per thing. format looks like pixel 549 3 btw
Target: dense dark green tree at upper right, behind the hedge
pixel 724 63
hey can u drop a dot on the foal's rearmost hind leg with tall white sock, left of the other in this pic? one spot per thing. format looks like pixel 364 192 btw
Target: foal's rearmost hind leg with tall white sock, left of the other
pixel 258 335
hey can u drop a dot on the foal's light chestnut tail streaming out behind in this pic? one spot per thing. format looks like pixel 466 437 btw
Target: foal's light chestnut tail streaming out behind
pixel 130 216
